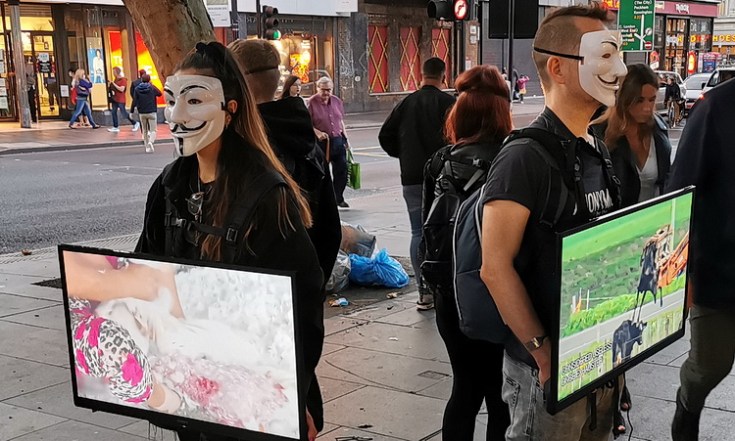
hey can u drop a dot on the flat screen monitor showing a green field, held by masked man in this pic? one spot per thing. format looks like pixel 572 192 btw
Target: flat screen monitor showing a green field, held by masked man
pixel 623 294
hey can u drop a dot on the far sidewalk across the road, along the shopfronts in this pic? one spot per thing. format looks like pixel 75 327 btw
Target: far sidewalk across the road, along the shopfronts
pixel 50 135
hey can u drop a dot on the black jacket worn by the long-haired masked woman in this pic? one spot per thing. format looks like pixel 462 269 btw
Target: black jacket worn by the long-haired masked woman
pixel 267 247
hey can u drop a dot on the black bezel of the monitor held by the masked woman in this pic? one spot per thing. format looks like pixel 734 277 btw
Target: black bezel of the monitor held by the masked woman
pixel 175 422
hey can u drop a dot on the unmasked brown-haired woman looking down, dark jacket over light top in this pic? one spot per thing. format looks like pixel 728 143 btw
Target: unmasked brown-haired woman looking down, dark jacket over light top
pixel 636 137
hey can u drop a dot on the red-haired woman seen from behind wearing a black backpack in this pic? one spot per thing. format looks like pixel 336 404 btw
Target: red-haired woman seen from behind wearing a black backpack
pixel 476 127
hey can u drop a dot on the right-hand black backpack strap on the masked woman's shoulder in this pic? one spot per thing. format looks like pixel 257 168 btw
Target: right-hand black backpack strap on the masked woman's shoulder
pixel 243 209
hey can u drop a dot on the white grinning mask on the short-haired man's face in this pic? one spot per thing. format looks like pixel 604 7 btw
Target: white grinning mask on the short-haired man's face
pixel 601 67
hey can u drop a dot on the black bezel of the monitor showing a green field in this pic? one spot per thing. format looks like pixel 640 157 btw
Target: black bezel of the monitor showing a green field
pixel 553 404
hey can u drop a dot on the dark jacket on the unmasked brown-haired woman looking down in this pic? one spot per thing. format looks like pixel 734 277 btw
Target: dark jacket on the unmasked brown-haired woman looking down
pixel 625 166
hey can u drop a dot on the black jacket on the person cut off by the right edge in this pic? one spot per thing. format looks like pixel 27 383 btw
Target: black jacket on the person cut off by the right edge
pixel 706 158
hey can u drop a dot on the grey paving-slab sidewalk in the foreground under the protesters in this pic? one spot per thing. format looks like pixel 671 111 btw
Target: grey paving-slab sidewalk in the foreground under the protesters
pixel 384 372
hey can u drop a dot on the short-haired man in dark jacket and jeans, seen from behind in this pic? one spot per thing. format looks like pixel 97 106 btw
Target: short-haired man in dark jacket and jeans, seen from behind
pixel 412 133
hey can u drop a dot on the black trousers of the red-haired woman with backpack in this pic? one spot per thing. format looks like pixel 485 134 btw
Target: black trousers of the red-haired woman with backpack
pixel 475 380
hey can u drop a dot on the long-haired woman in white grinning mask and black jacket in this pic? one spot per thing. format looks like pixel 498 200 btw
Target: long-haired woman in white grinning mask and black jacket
pixel 227 198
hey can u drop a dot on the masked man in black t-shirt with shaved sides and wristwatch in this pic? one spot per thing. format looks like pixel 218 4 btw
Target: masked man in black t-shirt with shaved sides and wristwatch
pixel 579 64
